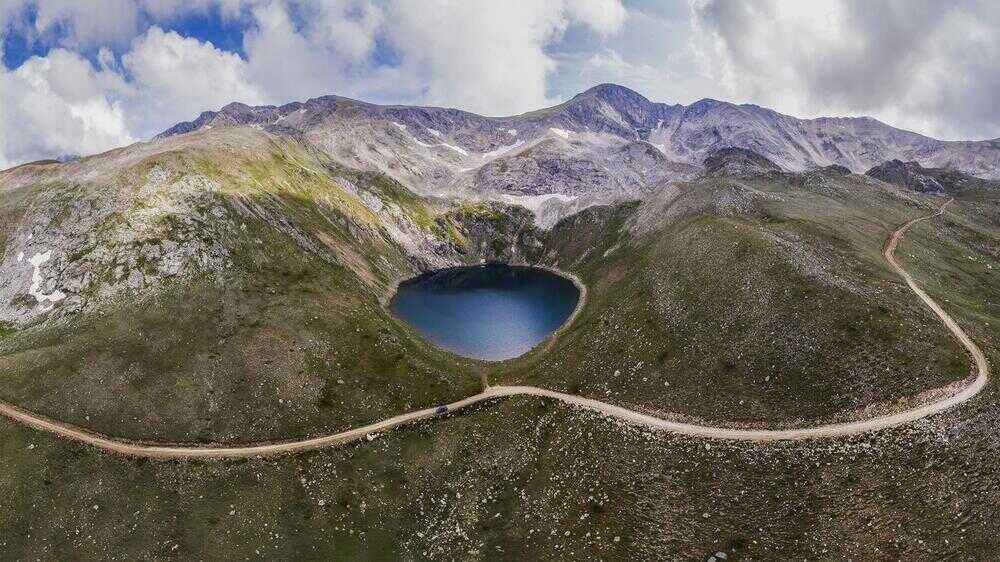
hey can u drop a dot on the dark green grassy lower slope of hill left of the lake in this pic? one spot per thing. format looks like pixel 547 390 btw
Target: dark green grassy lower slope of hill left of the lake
pixel 290 339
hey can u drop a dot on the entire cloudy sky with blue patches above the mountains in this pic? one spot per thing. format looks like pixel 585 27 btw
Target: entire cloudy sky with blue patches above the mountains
pixel 82 76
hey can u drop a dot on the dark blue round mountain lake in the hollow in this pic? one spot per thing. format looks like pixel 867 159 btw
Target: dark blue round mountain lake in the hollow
pixel 491 312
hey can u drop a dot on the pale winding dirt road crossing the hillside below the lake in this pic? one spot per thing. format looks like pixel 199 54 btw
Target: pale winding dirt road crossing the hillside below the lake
pixel 831 430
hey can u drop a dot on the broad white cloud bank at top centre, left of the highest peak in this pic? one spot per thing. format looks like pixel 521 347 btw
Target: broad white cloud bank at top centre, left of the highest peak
pixel 484 57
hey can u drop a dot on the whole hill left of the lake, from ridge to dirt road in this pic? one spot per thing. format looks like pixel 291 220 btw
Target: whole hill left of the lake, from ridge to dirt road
pixel 274 328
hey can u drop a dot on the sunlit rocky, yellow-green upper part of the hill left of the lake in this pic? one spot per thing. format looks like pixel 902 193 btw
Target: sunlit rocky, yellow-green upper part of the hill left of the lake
pixel 116 227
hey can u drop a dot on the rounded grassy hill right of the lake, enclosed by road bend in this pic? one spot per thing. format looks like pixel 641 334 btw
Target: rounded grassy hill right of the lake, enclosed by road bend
pixel 747 302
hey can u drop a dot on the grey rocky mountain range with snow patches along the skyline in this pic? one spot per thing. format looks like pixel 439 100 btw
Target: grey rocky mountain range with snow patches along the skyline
pixel 608 142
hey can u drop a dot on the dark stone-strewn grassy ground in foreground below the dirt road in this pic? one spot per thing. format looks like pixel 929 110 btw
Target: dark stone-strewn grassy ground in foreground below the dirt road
pixel 522 479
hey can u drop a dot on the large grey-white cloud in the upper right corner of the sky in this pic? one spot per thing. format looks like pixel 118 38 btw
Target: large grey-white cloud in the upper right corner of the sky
pixel 916 64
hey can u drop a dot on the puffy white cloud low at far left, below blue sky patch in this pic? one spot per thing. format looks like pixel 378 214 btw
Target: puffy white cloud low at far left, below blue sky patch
pixel 61 104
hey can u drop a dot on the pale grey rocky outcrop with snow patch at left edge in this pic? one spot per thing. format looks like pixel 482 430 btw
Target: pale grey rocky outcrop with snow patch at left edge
pixel 78 248
